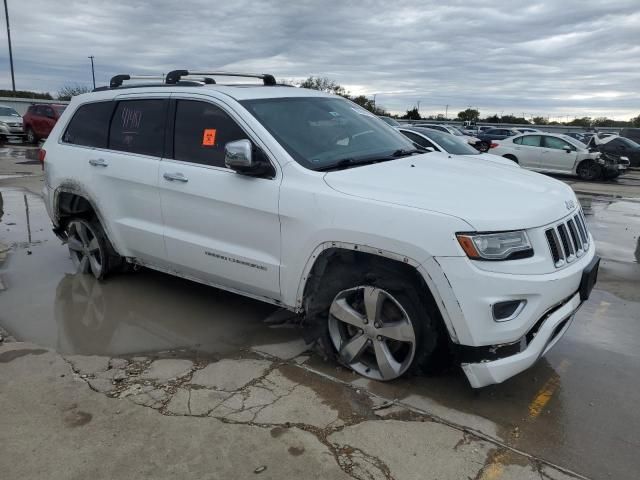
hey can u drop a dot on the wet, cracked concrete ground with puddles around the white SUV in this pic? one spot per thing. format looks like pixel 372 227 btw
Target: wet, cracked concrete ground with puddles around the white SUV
pixel 147 375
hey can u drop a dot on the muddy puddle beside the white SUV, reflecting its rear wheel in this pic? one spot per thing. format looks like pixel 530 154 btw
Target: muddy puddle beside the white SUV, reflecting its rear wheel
pixel 45 302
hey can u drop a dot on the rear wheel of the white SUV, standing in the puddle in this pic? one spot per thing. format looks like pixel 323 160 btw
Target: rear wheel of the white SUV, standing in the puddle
pixel 90 248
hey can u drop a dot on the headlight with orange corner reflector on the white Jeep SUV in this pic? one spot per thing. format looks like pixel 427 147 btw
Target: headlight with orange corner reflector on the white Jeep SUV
pixel 496 246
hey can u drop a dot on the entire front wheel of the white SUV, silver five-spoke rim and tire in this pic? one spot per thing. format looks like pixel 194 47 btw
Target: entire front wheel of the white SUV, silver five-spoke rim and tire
pixel 377 324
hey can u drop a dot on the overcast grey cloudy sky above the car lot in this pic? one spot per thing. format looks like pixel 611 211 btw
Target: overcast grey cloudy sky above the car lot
pixel 551 58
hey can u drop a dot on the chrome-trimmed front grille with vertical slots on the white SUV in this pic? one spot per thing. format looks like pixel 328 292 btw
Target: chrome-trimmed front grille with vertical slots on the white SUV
pixel 568 240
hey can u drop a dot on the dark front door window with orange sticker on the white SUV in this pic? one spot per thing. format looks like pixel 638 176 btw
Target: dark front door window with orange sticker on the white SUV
pixel 201 132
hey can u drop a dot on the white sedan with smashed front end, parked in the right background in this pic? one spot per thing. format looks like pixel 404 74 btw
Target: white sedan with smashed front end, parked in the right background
pixel 553 153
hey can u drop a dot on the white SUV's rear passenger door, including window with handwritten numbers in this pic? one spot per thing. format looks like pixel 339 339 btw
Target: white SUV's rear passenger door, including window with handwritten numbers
pixel 124 176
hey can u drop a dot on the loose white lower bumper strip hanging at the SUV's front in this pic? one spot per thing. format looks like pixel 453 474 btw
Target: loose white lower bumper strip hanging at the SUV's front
pixel 532 346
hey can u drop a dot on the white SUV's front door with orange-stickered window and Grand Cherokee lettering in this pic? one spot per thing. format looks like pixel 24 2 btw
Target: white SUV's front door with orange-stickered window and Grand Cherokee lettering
pixel 220 227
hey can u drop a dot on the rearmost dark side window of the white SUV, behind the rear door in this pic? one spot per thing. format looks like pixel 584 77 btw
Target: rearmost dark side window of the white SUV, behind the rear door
pixel 90 125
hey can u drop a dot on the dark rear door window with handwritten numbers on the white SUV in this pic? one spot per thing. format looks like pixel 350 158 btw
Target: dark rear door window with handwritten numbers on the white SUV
pixel 138 127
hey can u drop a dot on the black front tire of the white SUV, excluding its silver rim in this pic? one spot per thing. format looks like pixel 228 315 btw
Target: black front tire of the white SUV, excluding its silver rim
pixel 422 313
